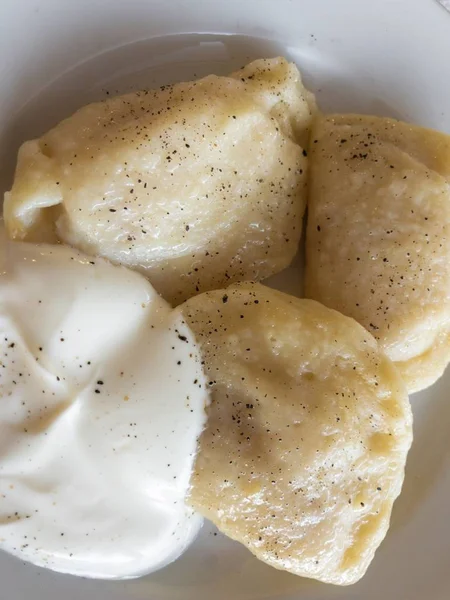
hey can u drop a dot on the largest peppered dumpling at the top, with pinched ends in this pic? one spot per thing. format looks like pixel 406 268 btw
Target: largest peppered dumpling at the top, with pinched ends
pixel 195 185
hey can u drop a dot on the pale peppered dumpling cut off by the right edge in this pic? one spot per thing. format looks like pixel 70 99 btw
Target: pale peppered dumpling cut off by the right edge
pixel 378 237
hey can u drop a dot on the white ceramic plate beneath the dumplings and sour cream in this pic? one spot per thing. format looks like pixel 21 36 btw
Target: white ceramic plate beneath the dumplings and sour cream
pixel 386 57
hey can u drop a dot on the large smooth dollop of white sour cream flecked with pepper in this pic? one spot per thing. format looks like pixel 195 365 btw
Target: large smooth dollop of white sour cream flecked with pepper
pixel 102 399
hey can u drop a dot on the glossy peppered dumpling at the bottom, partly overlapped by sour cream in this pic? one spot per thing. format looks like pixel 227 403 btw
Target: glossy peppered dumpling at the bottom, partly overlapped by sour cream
pixel 308 431
